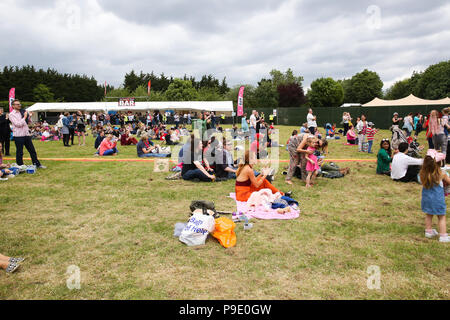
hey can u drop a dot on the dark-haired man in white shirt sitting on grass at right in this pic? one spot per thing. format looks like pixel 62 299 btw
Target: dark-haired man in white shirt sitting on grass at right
pixel 405 168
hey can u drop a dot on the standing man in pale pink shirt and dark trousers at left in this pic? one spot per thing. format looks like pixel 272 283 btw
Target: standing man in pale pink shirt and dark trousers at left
pixel 22 136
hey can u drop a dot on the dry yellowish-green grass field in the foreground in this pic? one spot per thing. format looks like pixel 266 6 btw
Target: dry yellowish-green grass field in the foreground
pixel 115 222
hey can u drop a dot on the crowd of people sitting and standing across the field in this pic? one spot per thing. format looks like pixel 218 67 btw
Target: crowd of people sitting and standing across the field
pixel 207 158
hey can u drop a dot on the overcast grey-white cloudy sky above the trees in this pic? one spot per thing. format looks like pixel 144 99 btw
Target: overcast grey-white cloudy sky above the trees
pixel 240 40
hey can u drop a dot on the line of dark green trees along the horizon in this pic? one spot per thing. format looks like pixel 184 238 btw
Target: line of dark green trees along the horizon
pixel 279 89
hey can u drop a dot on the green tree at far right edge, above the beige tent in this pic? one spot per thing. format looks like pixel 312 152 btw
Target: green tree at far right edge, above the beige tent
pixel 434 82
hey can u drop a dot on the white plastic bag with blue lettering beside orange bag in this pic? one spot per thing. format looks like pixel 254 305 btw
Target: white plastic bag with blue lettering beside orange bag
pixel 197 229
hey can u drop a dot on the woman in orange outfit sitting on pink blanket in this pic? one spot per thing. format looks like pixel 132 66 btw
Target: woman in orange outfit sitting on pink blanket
pixel 247 183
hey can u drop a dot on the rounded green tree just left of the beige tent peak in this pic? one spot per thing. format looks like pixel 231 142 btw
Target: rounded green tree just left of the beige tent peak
pixel 364 87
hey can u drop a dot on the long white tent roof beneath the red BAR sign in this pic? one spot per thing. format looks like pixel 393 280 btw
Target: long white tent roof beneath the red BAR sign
pixel 217 106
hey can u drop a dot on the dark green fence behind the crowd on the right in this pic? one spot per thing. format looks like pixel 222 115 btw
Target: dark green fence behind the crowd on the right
pixel 380 116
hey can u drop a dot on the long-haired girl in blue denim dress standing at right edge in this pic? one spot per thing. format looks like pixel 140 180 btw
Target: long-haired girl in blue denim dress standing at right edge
pixel 433 198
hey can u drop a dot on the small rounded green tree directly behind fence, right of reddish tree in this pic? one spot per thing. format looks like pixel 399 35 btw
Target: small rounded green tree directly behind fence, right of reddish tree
pixel 325 92
